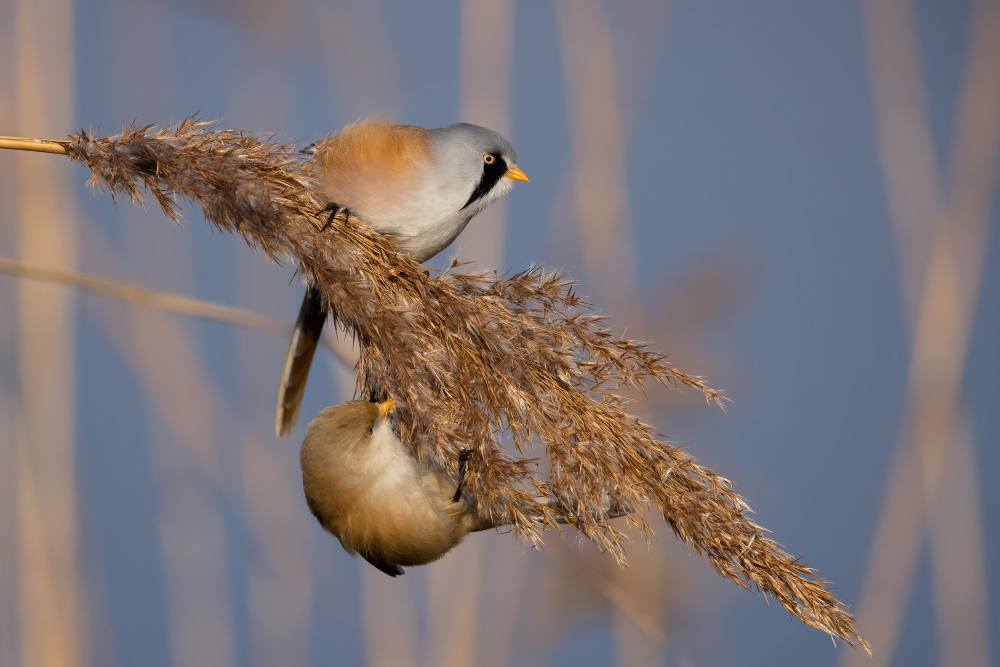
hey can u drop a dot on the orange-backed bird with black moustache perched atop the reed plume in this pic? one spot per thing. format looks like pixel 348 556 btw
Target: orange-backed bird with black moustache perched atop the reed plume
pixel 419 187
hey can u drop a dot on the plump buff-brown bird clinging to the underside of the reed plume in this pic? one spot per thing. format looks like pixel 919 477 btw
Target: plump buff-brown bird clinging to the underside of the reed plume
pixel 370 491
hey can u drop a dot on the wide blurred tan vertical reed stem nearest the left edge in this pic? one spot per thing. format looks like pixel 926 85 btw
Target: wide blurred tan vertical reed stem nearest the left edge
pixel 52 630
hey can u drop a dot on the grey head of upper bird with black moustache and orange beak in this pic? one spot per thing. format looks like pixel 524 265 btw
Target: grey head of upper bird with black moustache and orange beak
pixel 480 158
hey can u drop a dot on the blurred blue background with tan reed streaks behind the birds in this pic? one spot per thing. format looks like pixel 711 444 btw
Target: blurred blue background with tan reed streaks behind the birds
pixel 797 200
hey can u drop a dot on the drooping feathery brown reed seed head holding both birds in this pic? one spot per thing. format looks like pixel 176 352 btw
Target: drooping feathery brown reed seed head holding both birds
pixel 475 358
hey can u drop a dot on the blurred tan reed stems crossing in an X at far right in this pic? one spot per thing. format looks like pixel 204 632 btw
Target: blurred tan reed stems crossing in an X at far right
pixel 940 230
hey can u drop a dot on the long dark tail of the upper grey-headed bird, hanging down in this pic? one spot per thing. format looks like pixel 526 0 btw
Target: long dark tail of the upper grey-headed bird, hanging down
pixel 301 348
